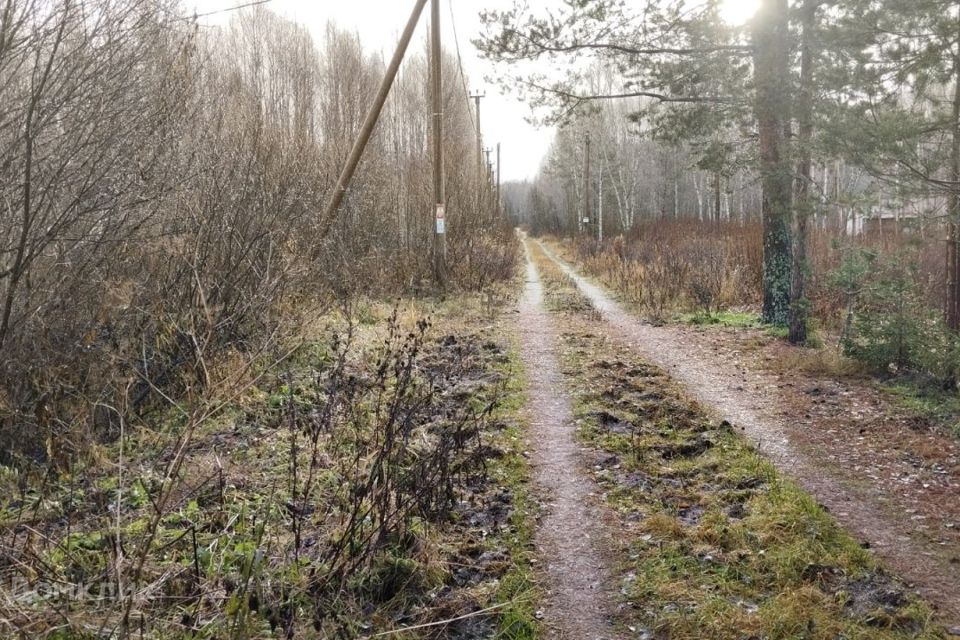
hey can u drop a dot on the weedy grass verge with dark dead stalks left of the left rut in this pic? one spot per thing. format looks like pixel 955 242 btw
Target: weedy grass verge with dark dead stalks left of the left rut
pixel 244 541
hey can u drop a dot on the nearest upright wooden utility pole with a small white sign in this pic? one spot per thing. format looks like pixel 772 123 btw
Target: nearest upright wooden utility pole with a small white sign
pixel 439 235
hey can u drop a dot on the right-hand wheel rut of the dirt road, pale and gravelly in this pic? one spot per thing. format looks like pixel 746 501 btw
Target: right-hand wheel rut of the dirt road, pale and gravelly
pixel 876 514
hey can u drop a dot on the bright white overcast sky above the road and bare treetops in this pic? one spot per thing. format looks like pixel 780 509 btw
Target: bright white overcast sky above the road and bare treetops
pixel 379 22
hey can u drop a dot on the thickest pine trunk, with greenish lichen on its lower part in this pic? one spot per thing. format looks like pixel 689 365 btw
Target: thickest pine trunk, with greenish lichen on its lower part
pixel 771 41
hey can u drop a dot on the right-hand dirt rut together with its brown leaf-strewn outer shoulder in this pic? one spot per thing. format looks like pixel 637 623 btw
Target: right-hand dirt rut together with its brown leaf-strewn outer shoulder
pixel 882 514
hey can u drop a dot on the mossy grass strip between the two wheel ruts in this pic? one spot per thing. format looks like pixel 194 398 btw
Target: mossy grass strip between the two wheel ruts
pixel 717 543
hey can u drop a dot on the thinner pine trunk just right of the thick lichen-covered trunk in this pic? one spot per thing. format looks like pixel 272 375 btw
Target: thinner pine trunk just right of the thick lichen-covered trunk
pixel 799 306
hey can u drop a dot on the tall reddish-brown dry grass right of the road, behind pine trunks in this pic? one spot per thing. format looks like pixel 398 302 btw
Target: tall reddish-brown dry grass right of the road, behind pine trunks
pixel 668 266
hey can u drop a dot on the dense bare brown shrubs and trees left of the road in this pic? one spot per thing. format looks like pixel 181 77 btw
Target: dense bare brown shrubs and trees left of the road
pixel 160 185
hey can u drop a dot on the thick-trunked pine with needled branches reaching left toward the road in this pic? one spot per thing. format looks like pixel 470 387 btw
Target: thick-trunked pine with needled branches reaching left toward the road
pixel 674 56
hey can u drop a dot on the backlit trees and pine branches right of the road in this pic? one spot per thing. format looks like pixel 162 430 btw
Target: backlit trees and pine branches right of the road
pixel 819 106
